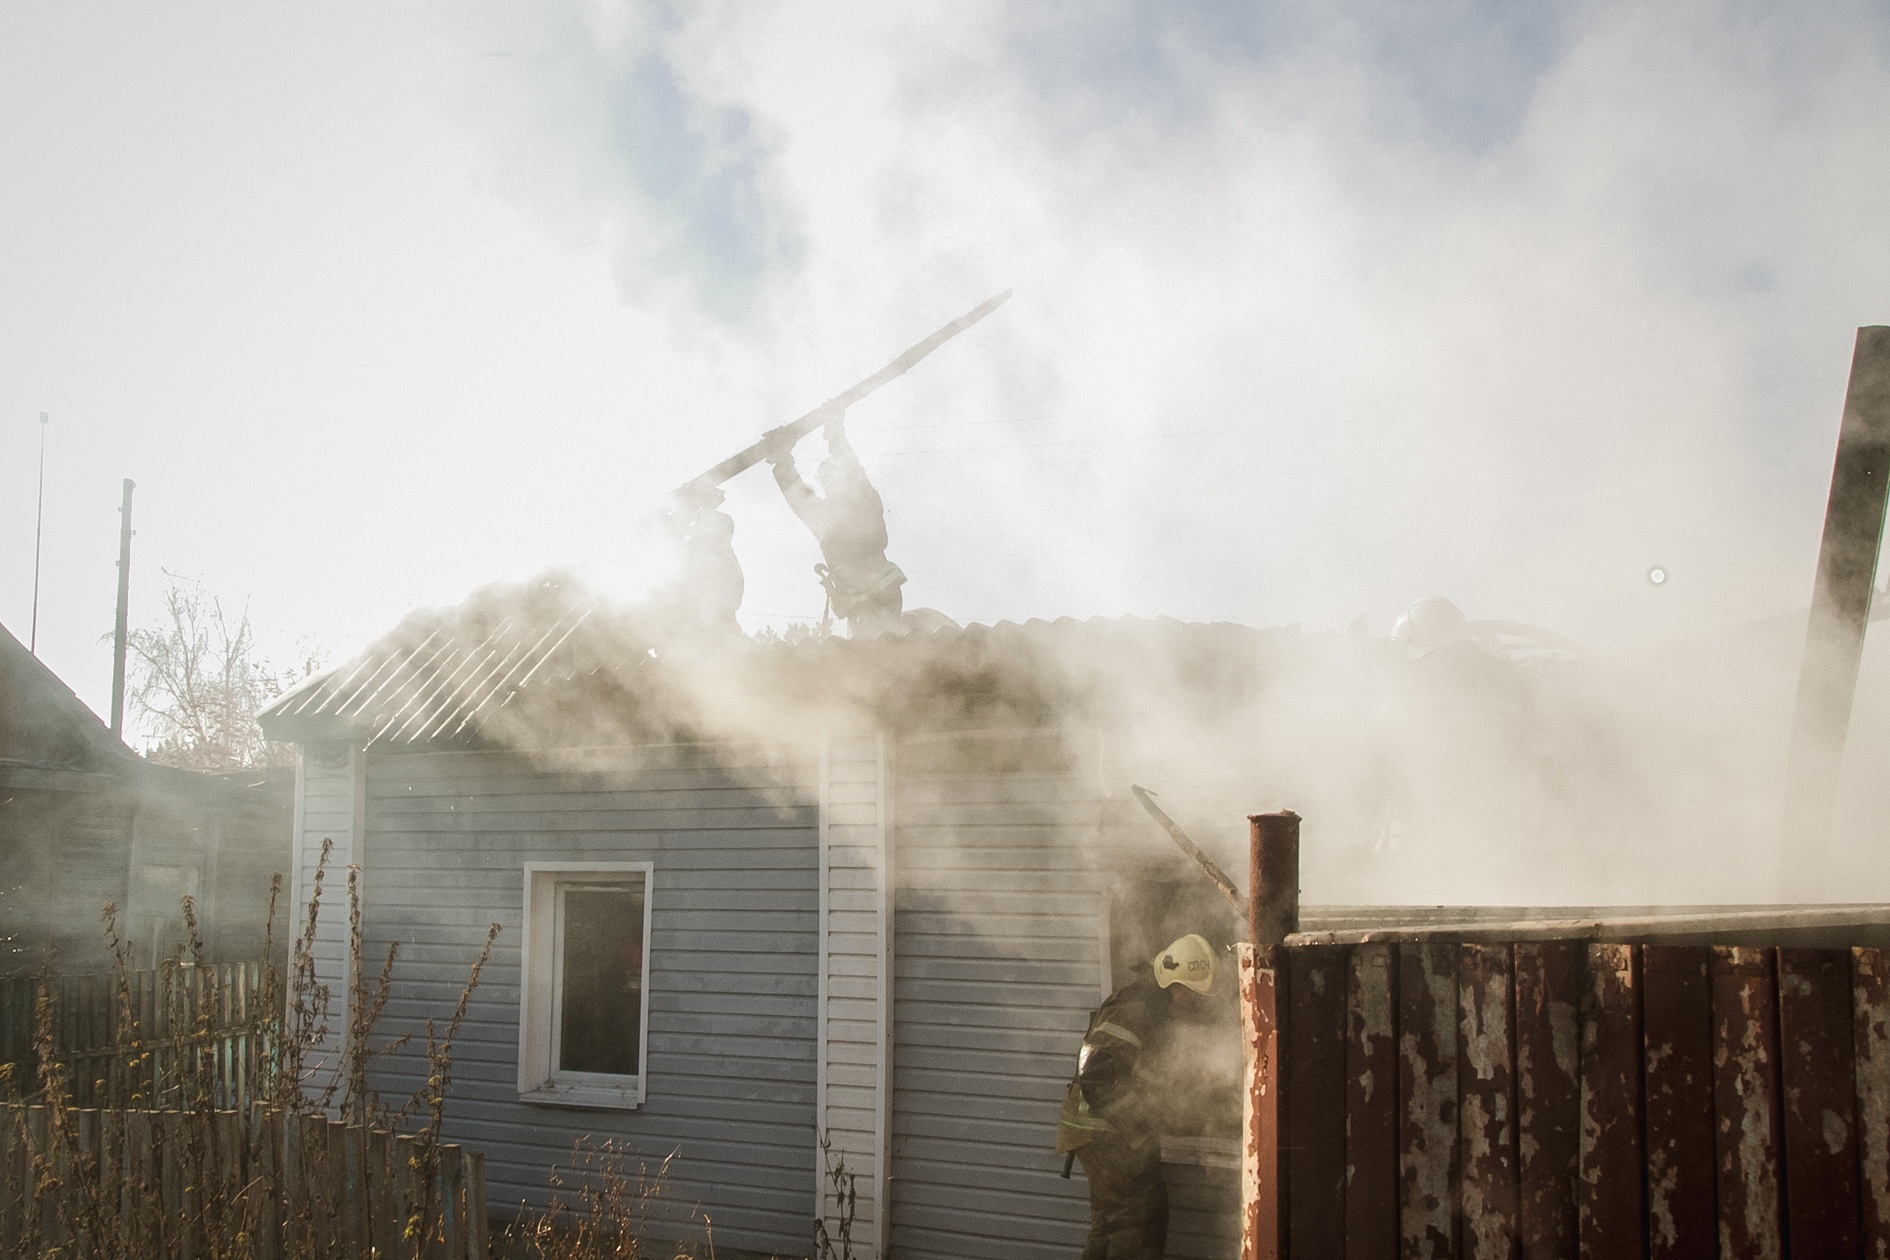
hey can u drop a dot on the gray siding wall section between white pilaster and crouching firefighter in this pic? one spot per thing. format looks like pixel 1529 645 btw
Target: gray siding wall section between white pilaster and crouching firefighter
pixel 997 968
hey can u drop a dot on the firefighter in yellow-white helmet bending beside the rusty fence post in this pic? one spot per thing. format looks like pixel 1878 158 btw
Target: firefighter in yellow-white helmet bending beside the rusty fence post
pixel 1112 1108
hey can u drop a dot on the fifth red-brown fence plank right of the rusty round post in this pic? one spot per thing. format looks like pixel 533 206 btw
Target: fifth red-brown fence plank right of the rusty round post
pixel 1549 1093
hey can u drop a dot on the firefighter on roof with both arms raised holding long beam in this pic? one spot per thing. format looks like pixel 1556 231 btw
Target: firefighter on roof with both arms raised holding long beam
pixel 850 522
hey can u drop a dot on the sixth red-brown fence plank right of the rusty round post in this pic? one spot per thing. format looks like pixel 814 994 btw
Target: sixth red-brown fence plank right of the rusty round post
pixel 1609 1193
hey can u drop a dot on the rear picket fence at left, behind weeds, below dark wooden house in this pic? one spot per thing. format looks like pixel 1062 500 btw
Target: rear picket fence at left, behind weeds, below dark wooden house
pixel 198 1032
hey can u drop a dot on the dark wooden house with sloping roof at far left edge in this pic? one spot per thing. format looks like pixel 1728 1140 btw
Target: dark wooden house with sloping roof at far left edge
pixel 86 821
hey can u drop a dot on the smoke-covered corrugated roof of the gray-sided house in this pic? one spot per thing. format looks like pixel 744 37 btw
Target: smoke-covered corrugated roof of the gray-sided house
pixel 553 664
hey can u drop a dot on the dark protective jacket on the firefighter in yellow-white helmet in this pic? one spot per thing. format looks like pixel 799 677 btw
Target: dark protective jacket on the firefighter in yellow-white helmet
pixel 1110 1098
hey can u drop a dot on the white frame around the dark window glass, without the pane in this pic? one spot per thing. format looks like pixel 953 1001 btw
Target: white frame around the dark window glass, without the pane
pixel 540 987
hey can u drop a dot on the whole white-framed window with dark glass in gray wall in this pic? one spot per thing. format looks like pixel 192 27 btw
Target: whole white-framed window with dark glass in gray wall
pixel 585 993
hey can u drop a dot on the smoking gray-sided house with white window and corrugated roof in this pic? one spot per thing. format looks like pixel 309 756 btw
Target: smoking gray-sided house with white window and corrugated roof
pixel 861 893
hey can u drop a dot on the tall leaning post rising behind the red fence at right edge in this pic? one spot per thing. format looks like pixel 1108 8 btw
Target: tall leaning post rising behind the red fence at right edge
pixel 1840 609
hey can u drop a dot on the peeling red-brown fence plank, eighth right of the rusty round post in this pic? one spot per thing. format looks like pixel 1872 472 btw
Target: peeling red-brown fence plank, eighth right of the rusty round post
pixel 1745 1059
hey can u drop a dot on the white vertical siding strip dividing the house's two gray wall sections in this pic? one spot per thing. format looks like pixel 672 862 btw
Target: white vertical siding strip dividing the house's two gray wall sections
pixel 853 1061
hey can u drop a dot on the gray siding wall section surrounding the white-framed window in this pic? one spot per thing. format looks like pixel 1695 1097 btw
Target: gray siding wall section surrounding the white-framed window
pixel 730 1076
